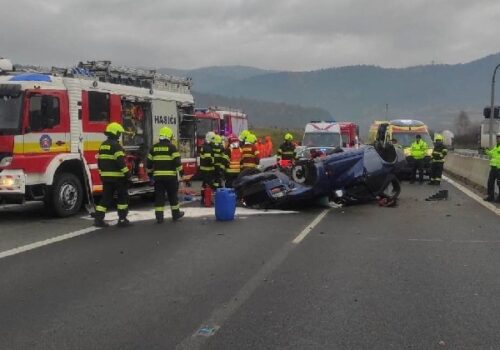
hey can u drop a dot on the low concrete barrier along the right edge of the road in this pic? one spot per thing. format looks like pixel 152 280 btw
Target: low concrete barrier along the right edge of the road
pixel 473 169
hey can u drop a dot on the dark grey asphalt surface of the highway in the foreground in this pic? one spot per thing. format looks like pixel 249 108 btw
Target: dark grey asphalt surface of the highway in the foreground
pixel 423 275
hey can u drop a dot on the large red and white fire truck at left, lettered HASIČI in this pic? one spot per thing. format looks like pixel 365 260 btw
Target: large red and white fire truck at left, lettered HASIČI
pixel 52 123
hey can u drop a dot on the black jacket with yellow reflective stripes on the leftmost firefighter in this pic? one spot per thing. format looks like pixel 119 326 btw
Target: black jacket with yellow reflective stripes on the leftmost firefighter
pixel 111 161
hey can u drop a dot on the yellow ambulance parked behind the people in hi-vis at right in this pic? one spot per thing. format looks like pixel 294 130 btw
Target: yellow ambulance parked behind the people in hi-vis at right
pixel 404 132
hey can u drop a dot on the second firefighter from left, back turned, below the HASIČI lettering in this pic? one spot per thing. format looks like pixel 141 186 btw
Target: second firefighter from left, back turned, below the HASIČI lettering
pixel 164 166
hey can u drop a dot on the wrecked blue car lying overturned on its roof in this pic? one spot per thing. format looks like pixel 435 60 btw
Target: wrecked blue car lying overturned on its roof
pixel 348 176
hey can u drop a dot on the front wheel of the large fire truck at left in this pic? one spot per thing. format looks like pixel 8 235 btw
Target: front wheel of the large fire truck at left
pixel 66 196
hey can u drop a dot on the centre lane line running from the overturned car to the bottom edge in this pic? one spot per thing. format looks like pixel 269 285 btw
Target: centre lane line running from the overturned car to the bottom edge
pixel 224 312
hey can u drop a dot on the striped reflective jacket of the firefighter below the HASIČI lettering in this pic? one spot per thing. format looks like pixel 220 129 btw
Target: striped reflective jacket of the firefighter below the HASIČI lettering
pixel 164 161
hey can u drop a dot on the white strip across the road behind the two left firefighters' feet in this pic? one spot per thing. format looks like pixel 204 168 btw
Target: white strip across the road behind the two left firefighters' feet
pixel 190 212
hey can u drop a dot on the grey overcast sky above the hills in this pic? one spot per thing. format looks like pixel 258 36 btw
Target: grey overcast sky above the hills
pixel 274 34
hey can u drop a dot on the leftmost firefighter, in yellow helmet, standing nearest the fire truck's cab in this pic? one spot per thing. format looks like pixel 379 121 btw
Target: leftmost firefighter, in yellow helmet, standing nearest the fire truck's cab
pixel 114 176
